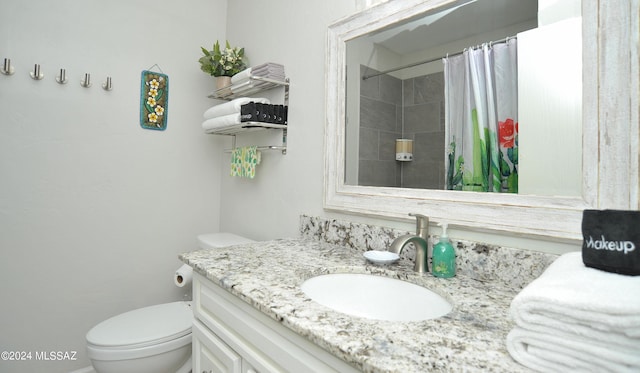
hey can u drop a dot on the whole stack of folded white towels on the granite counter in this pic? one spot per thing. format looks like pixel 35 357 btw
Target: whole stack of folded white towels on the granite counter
pixel 575 318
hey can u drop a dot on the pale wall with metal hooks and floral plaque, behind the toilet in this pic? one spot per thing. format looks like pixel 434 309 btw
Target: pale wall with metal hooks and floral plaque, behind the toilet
pixel 93 209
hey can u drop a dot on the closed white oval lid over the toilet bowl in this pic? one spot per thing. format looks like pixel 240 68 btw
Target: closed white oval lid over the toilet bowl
pixel 144 326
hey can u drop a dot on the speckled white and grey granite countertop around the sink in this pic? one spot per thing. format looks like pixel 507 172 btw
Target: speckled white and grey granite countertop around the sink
pixel 268 276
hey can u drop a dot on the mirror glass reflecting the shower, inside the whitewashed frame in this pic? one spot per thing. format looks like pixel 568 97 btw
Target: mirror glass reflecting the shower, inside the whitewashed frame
pixel 395 90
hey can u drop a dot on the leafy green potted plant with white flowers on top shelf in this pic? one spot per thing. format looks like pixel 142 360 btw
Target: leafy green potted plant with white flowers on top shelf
pixel 222 62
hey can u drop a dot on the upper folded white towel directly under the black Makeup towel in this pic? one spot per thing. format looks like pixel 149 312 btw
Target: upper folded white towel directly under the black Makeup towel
pixel 568 292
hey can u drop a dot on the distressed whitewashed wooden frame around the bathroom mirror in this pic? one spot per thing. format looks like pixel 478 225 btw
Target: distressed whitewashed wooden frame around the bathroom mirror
pixel 608 177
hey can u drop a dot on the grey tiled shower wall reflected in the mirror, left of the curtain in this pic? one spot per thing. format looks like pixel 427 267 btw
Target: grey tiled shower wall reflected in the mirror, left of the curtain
pixel 385 116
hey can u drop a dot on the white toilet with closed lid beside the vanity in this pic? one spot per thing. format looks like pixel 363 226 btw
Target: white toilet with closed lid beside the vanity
pixel 154 339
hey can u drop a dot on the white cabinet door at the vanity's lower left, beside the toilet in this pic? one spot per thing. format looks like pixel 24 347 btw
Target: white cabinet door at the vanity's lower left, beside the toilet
pixel 212 355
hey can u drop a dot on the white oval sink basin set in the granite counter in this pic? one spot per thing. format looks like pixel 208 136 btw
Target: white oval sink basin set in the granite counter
pixel 376 297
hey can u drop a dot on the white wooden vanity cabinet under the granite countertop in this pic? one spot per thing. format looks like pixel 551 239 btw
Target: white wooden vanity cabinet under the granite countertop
pixel 230 336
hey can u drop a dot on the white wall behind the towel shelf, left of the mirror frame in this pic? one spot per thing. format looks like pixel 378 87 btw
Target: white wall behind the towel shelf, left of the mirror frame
pixel 292 33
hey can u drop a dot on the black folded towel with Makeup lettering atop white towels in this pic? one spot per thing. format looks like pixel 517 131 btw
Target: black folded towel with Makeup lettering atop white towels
pixel 611 240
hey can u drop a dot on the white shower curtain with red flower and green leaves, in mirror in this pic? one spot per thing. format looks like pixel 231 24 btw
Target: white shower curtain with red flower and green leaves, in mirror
pixel 481 119
